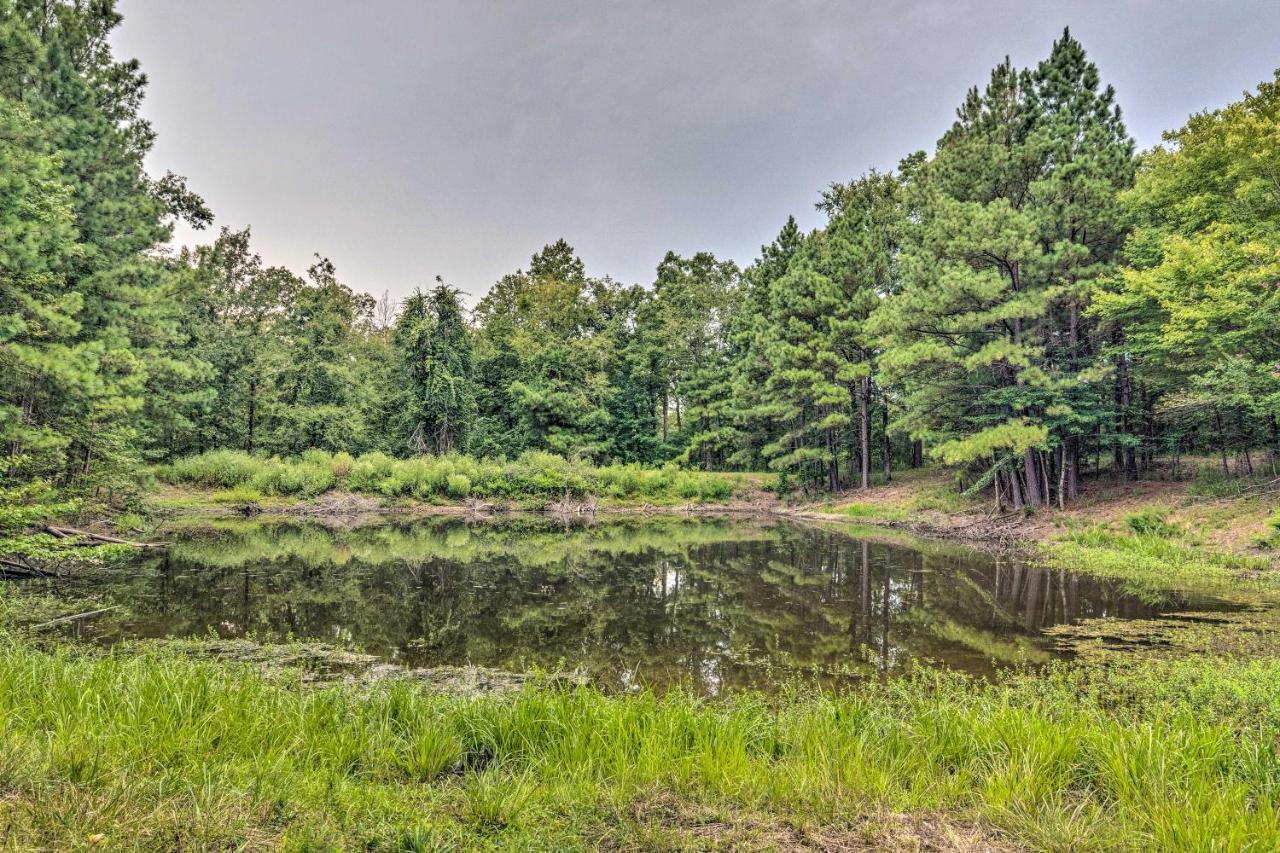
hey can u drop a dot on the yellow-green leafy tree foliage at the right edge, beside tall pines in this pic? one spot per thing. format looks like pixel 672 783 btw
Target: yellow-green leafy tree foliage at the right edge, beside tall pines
pixel 1200 300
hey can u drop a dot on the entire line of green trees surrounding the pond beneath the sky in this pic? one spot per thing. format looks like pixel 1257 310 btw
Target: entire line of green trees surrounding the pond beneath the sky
pixel 1030 303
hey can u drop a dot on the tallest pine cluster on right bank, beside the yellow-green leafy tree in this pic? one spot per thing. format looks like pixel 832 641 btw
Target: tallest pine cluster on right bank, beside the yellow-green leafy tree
pixel 1014 221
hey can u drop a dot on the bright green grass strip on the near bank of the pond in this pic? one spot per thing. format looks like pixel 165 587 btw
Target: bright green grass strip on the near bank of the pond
pixel 158 751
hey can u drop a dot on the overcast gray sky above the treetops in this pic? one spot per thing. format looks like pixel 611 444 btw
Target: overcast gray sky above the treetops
pixel 405 139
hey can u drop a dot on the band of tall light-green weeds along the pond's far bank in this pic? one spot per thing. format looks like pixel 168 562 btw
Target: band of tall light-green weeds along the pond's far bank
pixel 454 477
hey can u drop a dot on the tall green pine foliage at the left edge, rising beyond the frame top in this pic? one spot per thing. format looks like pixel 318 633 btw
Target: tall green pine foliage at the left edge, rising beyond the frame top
pixel 86 312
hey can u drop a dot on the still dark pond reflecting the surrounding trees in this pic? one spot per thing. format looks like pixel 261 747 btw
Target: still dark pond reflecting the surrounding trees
pixel 708 604
